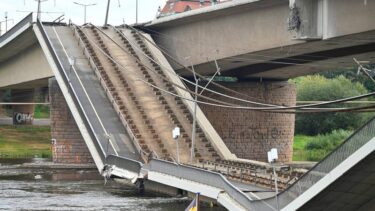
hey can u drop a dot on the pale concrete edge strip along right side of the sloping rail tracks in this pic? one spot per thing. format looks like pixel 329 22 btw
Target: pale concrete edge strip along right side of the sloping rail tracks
pixel 202 120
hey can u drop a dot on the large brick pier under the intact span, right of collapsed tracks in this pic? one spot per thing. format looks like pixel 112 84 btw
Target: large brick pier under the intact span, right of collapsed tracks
pixel 250 134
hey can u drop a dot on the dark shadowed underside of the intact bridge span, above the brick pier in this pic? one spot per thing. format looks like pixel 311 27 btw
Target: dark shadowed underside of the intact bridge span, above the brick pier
pixel 292 61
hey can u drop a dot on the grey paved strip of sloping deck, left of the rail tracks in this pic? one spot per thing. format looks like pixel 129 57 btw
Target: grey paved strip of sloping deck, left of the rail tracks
pixel 66 46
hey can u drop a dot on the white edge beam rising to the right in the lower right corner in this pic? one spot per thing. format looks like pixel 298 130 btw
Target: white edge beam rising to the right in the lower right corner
pixel 332 176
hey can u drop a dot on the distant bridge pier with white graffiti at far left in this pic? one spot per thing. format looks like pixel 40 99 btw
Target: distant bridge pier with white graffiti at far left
pixel 23 114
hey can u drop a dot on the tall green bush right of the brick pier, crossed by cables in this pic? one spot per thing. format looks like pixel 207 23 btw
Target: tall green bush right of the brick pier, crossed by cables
pixel 319 88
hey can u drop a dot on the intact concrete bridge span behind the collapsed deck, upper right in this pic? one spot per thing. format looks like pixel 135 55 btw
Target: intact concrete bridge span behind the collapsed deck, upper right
pixel 250 39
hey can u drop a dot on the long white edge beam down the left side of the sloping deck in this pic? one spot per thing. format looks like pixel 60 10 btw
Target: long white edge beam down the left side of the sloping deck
pixel 69 100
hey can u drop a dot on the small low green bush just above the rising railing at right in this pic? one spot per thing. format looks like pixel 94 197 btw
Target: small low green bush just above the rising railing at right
pixel 318 147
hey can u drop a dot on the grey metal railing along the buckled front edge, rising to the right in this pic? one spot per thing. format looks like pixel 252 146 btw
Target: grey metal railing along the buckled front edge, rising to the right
pixel 347 148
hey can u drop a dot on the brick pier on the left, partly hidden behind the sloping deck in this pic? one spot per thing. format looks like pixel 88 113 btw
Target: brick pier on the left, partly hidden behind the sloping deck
pixel 69 146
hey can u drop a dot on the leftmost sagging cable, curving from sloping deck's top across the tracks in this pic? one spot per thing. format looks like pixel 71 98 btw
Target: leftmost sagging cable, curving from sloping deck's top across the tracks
pixel 176 95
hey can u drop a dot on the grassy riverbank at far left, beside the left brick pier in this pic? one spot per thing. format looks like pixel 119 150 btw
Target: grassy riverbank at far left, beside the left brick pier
pixel 25 141
